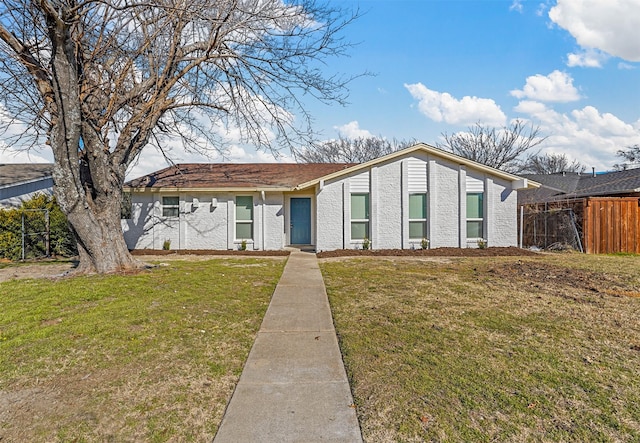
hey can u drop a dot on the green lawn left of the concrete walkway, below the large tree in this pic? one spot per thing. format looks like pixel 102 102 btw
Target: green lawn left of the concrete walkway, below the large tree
pixel 147 357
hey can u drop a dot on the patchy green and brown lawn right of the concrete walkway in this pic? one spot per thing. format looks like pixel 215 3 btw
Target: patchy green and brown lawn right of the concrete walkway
pixel 492 349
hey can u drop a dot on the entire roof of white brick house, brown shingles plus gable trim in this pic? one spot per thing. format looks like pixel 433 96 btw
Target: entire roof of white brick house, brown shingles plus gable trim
pixel 289 176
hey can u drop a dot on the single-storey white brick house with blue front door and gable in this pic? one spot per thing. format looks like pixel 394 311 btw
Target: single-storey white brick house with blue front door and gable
pixel 392 202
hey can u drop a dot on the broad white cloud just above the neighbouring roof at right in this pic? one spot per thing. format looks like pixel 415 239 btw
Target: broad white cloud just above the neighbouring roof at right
pixel 586 135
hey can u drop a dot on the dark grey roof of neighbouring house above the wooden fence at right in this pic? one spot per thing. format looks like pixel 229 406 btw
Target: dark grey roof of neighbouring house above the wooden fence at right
pixel 563 186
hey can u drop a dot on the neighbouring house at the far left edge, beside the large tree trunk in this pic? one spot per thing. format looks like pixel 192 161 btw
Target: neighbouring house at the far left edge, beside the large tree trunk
pixel 19 182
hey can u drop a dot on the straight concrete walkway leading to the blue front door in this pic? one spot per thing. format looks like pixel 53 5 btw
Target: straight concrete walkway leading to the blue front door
pixel 293 387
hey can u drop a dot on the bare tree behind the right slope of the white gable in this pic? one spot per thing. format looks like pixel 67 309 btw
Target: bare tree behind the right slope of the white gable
pixel 501 148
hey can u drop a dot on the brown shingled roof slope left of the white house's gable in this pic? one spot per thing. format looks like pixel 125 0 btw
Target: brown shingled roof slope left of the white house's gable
pixel 239 175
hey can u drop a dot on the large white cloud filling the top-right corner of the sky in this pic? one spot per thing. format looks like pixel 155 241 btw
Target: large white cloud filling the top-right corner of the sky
pixel 610 26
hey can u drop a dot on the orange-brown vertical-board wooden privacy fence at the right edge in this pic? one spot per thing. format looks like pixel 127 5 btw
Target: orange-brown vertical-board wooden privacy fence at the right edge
pixel 611 225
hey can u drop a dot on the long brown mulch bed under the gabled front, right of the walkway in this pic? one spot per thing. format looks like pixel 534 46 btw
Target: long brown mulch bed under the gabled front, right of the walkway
pixel 436 252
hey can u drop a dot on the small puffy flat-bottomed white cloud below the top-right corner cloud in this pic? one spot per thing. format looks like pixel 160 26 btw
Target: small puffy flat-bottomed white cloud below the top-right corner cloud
pixel 555 87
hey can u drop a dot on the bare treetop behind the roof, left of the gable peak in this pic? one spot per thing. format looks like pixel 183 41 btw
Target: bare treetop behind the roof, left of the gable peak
pixel 347 150
